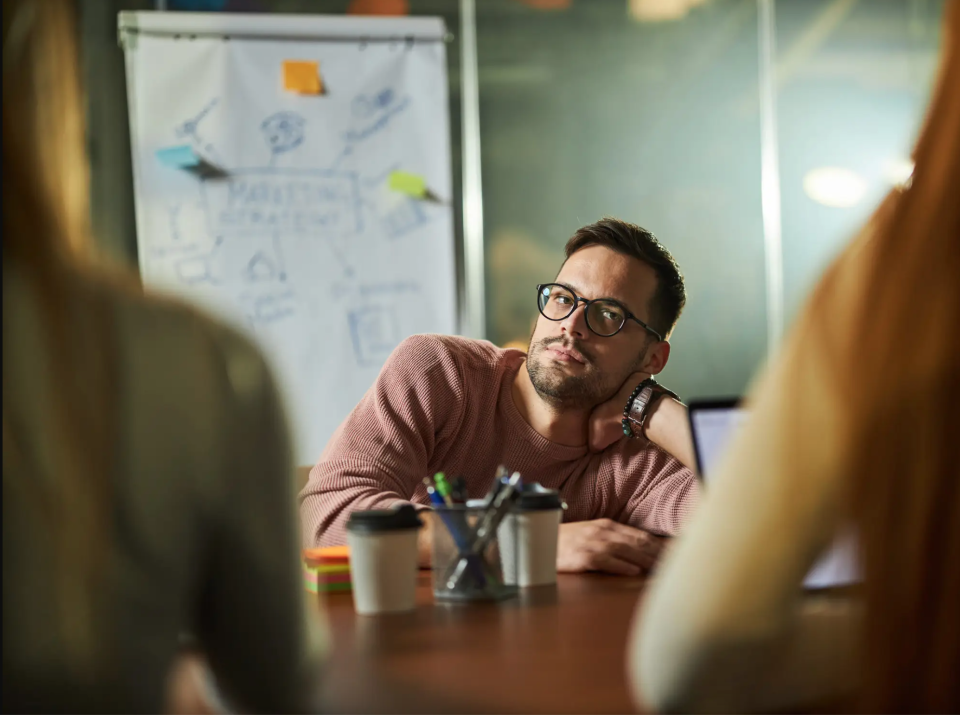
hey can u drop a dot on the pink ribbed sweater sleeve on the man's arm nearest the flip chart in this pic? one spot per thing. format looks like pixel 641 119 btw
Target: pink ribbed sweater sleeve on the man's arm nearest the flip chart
pixel 380 454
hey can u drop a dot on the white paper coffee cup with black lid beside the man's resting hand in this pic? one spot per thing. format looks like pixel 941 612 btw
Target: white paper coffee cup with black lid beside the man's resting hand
pixel 528 540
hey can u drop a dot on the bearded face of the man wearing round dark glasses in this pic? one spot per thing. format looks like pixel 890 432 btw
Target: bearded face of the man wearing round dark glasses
pixel 572 367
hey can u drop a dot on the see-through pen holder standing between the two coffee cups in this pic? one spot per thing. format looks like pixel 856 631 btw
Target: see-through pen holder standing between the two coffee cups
pixel 466 556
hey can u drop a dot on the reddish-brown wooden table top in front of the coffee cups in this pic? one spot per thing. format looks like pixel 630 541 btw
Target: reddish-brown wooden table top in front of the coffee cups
pixel 554 649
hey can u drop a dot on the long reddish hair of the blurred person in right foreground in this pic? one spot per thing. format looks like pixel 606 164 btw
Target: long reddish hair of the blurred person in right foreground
pixel 895 358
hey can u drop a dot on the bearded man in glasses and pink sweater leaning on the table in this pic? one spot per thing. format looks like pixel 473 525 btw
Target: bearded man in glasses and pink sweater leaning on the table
pixel 556 414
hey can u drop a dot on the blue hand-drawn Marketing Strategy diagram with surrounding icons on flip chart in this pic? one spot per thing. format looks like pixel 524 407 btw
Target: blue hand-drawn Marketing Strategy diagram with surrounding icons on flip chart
pixel 252 212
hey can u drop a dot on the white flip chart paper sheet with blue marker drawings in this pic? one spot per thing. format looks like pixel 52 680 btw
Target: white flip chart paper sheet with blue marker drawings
pixel 301 239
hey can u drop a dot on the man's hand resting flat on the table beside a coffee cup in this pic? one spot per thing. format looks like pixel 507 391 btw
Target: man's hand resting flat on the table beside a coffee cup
pixel 605 545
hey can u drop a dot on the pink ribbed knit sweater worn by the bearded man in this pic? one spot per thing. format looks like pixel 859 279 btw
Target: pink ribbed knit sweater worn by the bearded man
pixel 445 403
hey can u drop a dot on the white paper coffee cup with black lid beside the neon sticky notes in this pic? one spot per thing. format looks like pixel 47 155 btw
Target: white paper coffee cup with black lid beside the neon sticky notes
pixel 383 559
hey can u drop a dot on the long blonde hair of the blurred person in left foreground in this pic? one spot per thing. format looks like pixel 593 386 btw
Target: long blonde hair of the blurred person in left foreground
pixel 46 240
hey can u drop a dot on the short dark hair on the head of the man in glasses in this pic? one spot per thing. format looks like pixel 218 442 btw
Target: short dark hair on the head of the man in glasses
pixel 631 240
